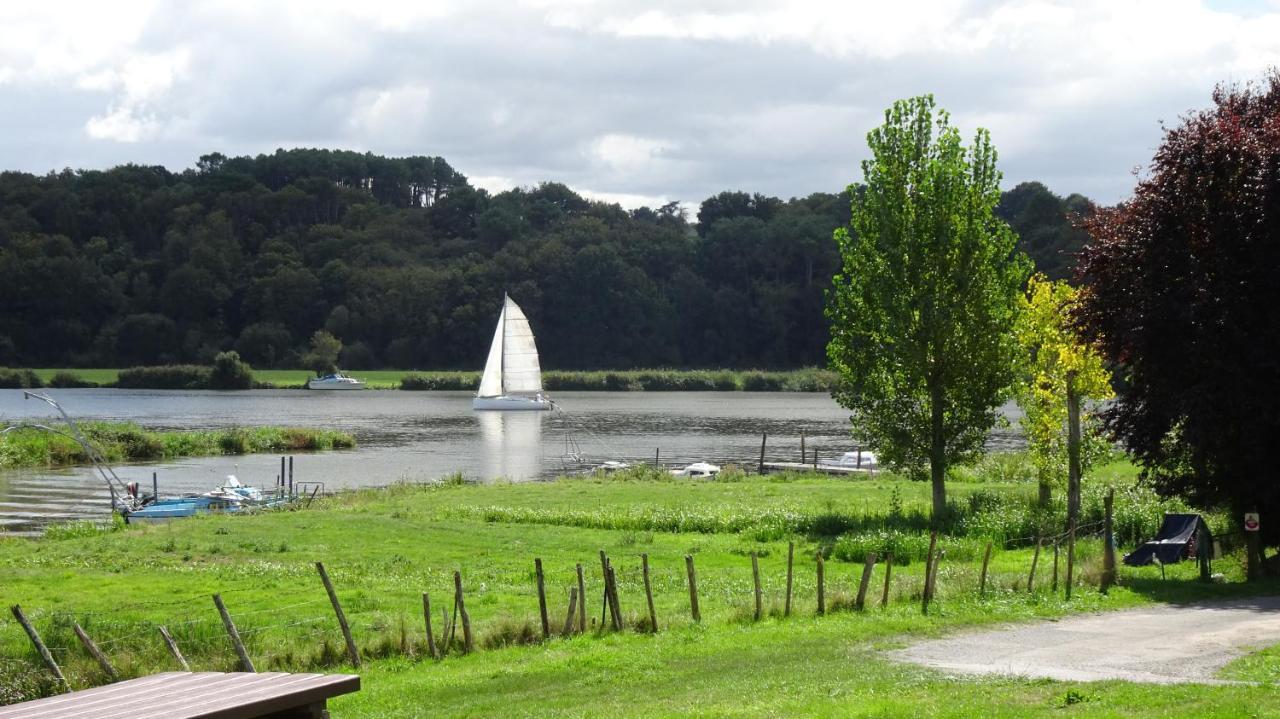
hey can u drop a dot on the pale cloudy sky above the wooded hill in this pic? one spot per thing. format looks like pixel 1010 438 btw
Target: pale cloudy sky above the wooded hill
pixel 638 103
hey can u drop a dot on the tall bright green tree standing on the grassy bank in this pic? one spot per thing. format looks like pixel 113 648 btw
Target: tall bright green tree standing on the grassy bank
pixel 922 312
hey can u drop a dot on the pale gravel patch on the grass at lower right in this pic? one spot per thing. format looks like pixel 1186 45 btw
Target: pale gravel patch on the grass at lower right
pixel 1164 644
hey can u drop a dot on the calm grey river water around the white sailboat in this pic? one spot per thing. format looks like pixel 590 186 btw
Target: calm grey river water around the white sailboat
pixel 420 437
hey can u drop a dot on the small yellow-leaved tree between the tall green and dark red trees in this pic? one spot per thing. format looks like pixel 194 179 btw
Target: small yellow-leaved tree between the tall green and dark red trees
pixel 1058 369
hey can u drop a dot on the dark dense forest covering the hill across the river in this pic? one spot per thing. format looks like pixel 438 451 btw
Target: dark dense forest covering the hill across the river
pixel 406 264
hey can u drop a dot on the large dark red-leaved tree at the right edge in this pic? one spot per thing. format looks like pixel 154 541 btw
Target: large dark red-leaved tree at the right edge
pixel 1182 291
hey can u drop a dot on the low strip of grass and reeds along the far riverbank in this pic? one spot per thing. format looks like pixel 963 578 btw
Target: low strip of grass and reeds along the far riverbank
pixel 196 377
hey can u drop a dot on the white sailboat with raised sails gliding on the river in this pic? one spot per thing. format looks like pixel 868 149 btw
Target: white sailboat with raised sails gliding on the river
pixel 513 379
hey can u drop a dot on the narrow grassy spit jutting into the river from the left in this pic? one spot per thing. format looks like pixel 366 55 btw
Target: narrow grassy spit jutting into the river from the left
pixel 126 442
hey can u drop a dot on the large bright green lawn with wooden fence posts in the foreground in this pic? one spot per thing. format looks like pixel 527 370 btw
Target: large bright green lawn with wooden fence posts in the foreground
pixel 385 548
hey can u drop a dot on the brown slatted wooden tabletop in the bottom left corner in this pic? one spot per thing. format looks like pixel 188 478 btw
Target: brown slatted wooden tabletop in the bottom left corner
pixel 191 695
